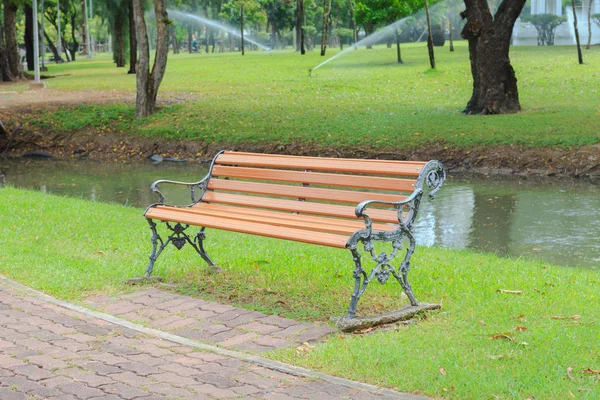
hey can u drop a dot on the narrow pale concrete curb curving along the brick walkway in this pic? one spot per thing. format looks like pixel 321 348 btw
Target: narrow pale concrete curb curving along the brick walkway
pixel 261 361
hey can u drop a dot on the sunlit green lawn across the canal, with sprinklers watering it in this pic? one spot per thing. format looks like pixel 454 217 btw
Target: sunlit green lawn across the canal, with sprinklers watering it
pixel 362 100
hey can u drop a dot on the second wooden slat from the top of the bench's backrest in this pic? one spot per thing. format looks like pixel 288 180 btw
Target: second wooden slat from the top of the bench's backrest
pixel 317 178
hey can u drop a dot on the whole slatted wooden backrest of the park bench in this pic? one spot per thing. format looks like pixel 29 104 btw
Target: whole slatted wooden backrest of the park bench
pixel 310 185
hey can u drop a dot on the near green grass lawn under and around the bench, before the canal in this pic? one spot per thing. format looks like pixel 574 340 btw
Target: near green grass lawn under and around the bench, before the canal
pixel 484 343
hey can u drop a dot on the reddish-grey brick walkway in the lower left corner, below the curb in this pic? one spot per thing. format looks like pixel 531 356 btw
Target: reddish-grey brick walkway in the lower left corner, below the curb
pixel 53 353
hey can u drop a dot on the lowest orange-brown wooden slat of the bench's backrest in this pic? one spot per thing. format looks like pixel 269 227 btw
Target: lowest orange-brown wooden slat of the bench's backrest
pixel 298 206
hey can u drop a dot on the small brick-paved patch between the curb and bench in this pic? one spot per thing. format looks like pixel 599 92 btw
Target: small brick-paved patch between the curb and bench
pixel 208 322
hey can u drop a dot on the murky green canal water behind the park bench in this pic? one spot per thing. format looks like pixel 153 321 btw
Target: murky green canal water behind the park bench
pixel 554 220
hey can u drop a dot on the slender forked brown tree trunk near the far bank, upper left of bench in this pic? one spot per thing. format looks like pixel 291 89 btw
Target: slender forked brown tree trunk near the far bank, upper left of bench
pixel 148 82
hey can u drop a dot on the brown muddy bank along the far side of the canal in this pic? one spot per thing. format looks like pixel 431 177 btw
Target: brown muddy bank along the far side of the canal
pixel 581 162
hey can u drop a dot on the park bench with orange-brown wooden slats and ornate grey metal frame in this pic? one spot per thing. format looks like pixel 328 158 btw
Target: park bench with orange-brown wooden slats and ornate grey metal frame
pixel 332 202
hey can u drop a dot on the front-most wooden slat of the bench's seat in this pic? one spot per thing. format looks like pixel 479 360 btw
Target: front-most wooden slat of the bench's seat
pixel 298 235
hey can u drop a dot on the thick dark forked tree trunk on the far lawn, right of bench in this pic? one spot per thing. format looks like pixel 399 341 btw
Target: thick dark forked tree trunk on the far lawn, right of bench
pixel 494 81
